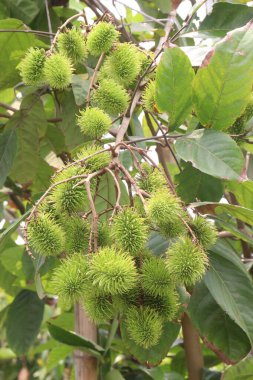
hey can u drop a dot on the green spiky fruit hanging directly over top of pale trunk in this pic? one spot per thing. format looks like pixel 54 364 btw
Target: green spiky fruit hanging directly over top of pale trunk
pixel 98 307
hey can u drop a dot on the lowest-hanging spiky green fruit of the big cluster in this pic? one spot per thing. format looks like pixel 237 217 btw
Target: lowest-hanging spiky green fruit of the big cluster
pixel 144 326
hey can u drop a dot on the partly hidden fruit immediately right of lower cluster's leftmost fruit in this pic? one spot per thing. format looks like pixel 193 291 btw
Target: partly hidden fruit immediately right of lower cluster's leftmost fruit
pixel 77 233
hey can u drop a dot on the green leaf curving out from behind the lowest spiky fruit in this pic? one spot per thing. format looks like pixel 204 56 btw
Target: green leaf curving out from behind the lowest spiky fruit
pixel 155 354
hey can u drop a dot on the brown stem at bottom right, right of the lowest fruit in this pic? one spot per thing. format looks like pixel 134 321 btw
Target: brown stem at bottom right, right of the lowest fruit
pixel 194 357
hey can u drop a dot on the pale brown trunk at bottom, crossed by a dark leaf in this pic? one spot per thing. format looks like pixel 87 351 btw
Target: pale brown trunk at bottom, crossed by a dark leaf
pixel 85 365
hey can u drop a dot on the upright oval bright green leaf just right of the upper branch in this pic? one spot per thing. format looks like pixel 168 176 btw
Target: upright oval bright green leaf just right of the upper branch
pixel 174 85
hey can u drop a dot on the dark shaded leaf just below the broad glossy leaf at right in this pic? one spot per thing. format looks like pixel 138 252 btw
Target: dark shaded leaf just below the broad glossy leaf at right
pixel 194 184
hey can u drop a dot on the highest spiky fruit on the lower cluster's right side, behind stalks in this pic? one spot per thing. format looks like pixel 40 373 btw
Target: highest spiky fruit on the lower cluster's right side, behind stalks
pixel 151 179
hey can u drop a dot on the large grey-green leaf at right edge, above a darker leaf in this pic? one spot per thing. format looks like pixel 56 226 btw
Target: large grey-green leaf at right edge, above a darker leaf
pixel 231 287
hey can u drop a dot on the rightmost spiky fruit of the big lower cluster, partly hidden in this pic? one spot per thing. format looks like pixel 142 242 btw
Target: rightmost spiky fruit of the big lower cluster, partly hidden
pixel 205 232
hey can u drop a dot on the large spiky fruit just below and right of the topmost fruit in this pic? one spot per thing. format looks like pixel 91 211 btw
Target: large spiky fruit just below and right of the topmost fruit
pixel 123 65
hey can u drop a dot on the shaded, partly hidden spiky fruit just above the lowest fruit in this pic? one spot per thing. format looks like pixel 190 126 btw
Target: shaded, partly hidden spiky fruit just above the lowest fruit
pixel 166 305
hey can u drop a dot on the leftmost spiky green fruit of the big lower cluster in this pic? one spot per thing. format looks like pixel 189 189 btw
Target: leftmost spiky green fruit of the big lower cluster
pixel 45 236
